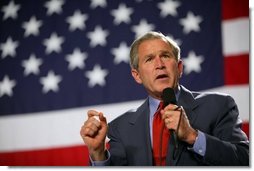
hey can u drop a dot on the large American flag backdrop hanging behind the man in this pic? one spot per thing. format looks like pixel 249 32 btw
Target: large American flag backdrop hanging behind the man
pixel 59 58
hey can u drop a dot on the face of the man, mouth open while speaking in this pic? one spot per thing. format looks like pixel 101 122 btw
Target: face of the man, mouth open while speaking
pixel 158 67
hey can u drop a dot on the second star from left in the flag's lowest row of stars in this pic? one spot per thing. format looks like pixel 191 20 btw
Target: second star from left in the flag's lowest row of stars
pixel 50 82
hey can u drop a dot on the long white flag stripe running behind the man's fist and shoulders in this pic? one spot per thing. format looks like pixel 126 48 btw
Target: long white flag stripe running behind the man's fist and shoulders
pixel 61 128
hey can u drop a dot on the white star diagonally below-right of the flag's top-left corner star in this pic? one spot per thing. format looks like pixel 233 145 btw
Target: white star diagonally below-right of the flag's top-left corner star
pixel 32 26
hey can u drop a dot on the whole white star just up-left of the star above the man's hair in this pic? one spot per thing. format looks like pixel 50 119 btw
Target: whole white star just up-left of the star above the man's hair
pixel 122 14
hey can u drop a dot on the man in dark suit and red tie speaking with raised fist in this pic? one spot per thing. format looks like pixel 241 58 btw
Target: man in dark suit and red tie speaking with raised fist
pixel 203 129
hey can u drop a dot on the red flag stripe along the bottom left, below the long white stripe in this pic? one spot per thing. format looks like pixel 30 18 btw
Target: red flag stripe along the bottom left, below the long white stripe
pixel 65 156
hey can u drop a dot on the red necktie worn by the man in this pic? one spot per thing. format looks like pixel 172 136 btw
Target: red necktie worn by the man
pixel 160 139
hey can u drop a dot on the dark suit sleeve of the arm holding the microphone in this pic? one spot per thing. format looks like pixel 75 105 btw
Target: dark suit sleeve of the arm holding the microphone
pixel 228 145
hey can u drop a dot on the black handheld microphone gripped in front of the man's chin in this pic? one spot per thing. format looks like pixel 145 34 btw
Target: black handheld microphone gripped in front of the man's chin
pixel 168 97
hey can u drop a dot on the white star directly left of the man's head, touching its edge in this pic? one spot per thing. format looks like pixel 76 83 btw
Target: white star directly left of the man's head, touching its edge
pixel 121 53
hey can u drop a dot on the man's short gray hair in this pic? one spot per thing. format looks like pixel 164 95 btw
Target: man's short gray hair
pixel 150 36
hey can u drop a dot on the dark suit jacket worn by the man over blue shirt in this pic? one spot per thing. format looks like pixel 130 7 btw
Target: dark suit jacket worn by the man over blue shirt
pixel 214 114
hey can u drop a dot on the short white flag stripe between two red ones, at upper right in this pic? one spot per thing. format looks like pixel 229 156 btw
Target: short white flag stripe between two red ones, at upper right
pixel 234 41
